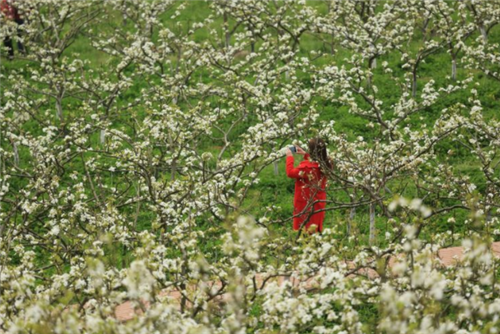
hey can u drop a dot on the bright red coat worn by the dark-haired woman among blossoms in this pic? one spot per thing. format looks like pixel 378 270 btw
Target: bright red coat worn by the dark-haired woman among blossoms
pixel 310 186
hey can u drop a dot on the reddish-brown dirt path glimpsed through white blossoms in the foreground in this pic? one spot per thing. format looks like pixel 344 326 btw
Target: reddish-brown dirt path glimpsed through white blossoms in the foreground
pixel 448 256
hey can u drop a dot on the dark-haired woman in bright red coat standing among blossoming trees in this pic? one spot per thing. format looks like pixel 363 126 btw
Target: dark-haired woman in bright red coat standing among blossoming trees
pixel 310 183
